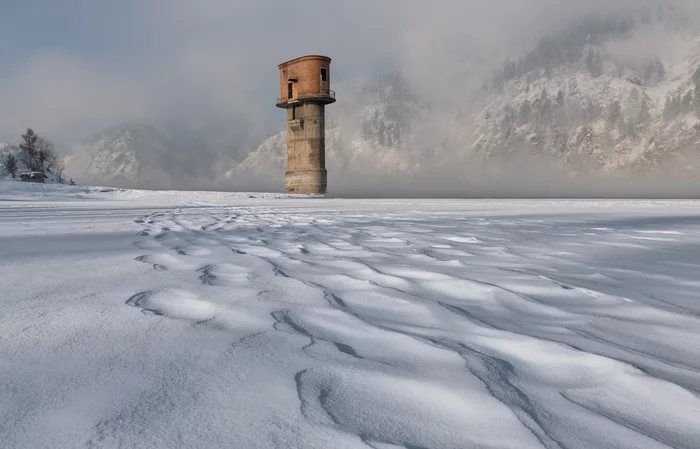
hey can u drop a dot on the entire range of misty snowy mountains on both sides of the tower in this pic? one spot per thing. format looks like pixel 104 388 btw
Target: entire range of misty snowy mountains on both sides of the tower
pixel 608 96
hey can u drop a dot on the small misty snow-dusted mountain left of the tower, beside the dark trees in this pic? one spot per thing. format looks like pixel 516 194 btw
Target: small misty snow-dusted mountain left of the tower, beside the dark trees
pixel 144 155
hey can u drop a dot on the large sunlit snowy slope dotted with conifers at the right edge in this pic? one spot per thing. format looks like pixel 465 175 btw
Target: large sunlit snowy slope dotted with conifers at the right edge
pixel 594 105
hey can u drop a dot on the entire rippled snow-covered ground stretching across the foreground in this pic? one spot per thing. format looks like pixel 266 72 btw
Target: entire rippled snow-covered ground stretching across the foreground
pixel 209 320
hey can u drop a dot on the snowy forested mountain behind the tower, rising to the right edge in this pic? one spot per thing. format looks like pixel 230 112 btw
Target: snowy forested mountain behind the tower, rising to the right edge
pixel 608 96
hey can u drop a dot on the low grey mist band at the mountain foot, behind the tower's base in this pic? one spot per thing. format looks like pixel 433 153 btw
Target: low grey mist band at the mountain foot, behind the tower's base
pixel 519 179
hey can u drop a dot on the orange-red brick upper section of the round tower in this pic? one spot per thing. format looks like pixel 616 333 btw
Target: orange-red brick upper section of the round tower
pixel 305 80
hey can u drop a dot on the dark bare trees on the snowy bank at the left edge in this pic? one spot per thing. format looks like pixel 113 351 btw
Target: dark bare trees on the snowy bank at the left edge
pixel 37 154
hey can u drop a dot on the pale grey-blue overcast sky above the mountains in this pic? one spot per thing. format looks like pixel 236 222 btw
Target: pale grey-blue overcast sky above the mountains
pixel 70 67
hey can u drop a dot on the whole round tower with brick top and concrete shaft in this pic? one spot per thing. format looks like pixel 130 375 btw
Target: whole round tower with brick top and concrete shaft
pixel 304 92
